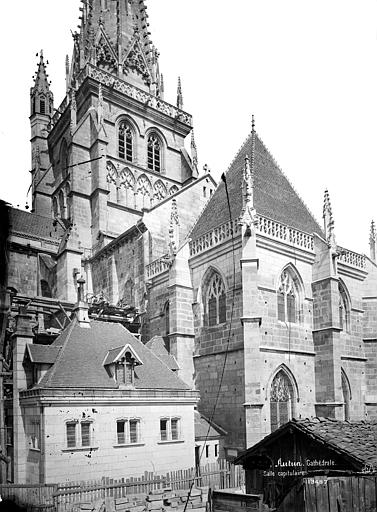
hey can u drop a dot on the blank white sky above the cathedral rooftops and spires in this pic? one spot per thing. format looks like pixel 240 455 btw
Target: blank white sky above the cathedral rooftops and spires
pixel 307 69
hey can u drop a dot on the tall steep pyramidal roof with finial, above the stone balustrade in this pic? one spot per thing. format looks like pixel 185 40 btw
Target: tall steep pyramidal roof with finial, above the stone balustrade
pixel 274 196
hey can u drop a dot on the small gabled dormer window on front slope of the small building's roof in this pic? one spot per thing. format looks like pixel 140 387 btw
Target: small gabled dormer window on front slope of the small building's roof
pixel 121 363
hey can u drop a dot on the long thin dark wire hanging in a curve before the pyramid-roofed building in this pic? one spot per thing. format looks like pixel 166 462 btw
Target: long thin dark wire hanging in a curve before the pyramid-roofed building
pixel 223 177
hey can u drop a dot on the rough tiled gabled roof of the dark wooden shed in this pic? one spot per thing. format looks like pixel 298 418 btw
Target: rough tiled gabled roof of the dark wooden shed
pixel 356 440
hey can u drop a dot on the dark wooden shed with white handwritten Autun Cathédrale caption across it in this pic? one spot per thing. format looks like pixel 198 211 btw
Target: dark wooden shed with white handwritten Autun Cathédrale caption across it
pixel 315 465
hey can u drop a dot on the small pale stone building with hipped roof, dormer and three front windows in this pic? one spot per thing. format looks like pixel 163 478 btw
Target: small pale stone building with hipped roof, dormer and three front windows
pixel 96 402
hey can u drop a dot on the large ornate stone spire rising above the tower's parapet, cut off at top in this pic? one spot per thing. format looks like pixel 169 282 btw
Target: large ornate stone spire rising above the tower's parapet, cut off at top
pixel 114 36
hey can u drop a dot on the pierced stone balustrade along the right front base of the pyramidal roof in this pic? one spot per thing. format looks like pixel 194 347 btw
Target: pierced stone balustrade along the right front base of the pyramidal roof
pixel 285 233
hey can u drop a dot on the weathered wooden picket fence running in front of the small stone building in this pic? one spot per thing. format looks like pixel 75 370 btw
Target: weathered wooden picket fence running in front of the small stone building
pixel 62 497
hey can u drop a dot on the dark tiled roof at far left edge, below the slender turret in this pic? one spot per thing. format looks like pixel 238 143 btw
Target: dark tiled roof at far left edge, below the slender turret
pixel 34 225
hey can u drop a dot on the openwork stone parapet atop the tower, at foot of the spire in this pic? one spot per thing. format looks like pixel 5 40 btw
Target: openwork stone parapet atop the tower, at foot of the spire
pixel 147 99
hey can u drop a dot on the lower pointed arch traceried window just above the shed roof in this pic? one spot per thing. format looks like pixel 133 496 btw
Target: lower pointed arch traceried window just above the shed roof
pixel 281 400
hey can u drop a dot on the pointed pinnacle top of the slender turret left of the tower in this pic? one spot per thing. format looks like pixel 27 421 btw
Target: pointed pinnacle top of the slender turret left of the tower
pixel 41 96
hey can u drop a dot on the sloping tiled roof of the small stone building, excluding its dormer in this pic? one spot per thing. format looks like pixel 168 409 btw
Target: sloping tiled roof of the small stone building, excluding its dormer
pixel 80 361
